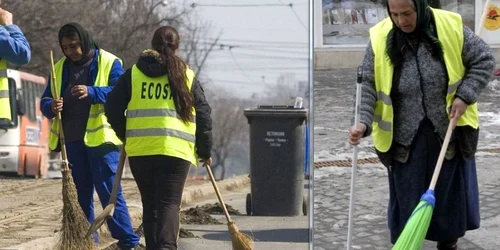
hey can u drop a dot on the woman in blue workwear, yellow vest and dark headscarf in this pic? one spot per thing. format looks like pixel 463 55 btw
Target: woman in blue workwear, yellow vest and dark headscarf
pixel 84 76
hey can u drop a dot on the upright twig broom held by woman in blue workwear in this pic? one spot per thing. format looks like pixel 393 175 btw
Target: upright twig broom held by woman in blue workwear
pixel 74 222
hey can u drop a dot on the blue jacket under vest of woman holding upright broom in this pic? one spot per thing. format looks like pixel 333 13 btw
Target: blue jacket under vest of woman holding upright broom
pixel 96 95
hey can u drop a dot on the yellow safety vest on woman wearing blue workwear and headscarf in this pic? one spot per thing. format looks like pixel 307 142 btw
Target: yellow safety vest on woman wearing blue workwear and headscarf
pixel 98 130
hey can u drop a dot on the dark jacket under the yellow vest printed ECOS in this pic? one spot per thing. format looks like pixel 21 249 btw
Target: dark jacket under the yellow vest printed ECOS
pixel 119 97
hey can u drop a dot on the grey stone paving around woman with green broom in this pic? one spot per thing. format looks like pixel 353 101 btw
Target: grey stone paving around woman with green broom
pixel 333 98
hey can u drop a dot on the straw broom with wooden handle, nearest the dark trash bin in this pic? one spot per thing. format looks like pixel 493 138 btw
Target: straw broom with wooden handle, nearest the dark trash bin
pixel 240 240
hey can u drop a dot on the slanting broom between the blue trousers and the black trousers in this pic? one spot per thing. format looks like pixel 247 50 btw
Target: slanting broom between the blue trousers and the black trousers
pixel 109 210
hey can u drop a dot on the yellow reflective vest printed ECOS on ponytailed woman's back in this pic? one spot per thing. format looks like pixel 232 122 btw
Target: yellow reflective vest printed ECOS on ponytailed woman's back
pixel 153 125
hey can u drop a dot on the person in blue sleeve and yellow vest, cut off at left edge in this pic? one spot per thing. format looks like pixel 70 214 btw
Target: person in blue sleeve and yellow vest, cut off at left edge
pixel 14 48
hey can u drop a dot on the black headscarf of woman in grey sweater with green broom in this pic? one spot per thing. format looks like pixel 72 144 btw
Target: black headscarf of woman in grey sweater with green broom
pixel 424 30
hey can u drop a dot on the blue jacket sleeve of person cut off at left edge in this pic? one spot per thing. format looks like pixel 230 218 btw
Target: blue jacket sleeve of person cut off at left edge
pixel 13 45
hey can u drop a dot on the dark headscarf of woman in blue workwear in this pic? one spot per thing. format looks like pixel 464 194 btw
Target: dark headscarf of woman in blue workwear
pixel 87 42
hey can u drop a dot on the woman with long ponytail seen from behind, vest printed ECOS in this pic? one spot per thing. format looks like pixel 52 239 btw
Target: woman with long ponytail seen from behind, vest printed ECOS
pixel 167 126
